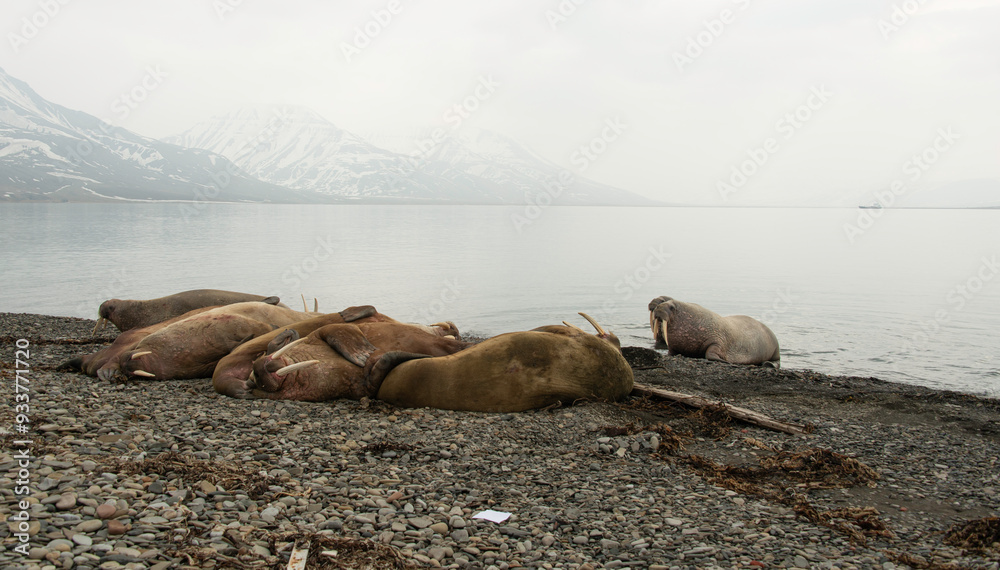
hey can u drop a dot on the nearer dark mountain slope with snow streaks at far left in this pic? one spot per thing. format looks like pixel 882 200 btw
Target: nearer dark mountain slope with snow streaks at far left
pixel 49 152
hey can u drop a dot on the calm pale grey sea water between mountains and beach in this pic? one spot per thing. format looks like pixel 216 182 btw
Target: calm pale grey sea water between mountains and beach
pixel 913 298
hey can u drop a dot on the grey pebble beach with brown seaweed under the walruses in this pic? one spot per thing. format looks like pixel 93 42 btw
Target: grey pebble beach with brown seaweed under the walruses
pixel 170 474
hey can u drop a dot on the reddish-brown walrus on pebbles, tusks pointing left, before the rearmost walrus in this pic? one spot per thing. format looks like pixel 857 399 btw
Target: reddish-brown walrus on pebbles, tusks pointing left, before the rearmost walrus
pixel 189 346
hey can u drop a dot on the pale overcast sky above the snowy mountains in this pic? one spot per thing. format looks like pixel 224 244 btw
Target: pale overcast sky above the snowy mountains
pixel 828 100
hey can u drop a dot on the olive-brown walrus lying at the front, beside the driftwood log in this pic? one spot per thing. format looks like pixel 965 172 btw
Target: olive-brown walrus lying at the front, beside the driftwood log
pixel 511 372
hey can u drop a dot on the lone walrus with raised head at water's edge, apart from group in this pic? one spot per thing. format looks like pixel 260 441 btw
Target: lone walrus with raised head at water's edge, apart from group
pixel 691 330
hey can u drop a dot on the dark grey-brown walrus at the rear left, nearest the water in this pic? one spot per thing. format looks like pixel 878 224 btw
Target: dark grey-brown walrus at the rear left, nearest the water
pixel 127 314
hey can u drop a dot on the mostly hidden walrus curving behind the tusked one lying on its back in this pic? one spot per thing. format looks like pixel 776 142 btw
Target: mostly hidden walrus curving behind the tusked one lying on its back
pixel 232 372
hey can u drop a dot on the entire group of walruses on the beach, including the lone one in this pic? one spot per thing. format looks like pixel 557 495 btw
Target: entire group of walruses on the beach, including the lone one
pixel 254 346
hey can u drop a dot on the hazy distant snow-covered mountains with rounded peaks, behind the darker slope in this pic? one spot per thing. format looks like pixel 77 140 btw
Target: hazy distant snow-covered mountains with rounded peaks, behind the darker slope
pixel 296 148
